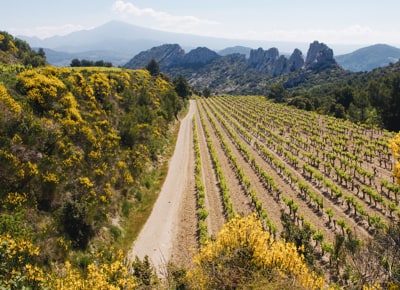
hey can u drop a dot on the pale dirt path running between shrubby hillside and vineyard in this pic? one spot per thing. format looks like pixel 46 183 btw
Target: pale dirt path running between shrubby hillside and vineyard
pixel 156 238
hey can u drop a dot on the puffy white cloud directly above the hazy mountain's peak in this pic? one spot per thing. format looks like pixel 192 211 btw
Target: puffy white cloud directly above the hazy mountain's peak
pixel 161 20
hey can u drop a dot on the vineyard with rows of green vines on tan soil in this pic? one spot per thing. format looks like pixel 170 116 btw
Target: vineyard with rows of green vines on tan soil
pixel 327 175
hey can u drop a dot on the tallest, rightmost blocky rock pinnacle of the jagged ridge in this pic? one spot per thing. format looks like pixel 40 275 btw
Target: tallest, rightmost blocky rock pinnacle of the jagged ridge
pixel 319 57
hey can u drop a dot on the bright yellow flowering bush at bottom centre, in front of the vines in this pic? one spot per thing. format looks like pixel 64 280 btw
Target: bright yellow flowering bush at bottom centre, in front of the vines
pixel 246 256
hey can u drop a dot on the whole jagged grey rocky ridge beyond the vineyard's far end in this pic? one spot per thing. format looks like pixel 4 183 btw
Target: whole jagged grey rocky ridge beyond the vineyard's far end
pixel 234 73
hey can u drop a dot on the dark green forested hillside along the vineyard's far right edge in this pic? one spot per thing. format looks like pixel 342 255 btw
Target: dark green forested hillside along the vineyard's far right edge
pixel 370 97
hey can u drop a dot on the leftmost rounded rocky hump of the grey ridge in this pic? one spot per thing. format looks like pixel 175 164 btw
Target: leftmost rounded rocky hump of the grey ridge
pixel 166 55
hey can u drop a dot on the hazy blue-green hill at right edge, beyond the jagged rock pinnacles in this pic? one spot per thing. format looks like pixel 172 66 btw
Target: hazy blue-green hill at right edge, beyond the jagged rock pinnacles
pixel 368 58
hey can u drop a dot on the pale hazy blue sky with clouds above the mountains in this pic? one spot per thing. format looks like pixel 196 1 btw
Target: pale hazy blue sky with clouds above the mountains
pixel 332 22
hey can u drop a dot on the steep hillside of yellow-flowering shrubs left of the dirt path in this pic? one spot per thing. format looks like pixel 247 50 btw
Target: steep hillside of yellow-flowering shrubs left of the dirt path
pixel 76 148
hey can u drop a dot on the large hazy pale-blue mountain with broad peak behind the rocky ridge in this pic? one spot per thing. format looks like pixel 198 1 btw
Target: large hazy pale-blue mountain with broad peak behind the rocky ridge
pixel 118 42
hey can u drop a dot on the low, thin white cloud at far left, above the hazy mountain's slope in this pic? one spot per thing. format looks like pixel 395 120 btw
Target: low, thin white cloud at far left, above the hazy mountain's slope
pixel 46 31
